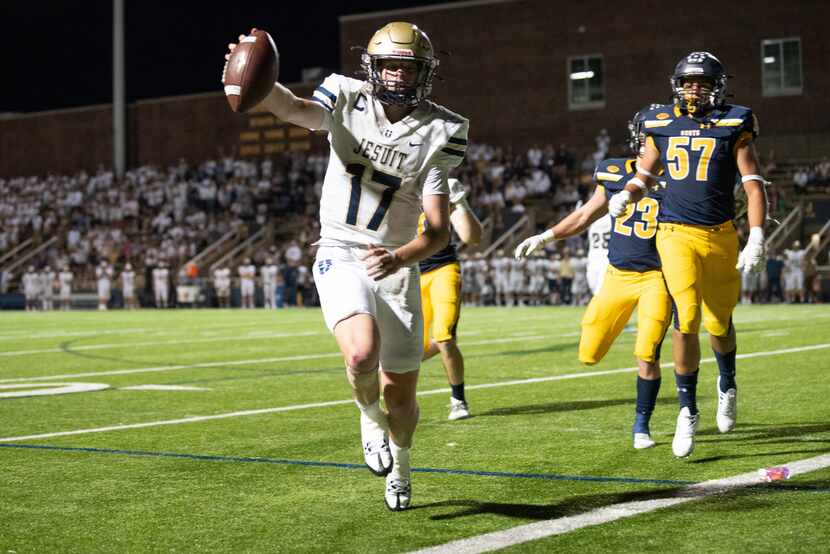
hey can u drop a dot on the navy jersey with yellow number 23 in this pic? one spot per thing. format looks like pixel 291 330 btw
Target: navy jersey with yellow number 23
pixel 632 245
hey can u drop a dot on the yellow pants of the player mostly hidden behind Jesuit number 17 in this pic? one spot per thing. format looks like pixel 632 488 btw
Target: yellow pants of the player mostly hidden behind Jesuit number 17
pixel 441 302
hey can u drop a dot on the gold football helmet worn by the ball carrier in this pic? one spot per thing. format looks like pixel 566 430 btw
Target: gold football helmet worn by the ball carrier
pixel 400 41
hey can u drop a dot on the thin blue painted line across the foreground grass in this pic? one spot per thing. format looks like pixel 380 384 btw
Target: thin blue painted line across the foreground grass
pixel 308 463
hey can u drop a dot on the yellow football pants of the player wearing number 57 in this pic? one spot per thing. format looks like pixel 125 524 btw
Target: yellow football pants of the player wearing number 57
pixel 699 267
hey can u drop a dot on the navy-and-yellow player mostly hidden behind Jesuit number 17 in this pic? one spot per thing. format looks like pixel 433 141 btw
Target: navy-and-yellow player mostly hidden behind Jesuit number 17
pixel 441 297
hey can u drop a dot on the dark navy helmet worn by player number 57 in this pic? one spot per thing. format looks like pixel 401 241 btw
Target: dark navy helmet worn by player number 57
pixel 704 66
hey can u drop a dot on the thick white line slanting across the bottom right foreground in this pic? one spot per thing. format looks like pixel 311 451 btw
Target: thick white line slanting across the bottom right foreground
pixel 542 529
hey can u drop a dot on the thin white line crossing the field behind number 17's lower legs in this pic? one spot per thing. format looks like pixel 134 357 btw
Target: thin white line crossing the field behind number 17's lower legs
pixel 341 402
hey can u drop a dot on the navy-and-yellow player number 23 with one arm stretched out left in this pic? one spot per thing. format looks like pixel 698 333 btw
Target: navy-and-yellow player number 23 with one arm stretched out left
pixel 633 280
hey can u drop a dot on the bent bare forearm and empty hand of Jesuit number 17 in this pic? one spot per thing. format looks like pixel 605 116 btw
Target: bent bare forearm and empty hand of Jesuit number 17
pixel 381 262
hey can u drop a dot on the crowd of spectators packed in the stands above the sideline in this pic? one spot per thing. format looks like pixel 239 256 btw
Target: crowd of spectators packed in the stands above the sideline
pixel 154 215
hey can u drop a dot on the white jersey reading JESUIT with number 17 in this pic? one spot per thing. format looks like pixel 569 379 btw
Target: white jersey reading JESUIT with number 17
pixel 379 171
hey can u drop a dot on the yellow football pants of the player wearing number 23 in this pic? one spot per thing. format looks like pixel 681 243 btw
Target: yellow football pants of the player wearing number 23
pixel 613 305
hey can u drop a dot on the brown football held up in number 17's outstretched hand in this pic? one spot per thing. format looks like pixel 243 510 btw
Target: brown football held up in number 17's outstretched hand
pixel 251 71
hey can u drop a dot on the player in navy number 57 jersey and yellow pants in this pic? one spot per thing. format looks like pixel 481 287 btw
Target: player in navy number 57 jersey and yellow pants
pixel 702 144
